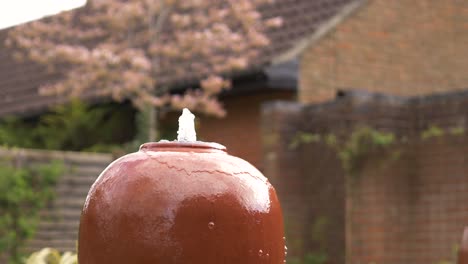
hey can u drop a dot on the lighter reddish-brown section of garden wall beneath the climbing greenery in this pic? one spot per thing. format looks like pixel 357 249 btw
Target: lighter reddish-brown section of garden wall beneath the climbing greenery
pixel 412 210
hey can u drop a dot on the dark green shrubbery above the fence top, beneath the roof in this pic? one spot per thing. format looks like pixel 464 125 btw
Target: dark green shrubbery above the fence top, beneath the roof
pixel 75 126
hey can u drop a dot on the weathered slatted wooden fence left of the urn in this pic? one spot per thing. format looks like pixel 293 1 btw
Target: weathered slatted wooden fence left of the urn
pixel 59 222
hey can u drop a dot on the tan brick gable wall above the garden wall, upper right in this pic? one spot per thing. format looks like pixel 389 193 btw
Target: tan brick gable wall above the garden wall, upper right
pixel 403 47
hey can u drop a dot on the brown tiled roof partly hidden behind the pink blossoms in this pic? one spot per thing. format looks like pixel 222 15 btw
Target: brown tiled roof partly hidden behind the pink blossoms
pixel 19 82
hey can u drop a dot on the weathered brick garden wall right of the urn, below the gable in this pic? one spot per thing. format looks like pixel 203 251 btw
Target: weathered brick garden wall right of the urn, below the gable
pixel 409 209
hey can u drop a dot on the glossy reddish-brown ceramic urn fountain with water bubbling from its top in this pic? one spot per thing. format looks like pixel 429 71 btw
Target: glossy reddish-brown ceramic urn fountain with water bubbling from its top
pixel 184 202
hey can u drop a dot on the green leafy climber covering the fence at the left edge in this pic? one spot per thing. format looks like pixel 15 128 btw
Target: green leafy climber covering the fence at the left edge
pixel 23 193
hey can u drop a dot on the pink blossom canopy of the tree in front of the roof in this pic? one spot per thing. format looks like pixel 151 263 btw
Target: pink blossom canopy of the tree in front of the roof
pixel 130 49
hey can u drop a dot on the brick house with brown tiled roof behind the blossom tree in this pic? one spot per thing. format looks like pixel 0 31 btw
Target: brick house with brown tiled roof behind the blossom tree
pixel 267 79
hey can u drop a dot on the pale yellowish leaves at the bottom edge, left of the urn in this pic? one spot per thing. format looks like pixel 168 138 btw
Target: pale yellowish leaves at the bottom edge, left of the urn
pixel 51 256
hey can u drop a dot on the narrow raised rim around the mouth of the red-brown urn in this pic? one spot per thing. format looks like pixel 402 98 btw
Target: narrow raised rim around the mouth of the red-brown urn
pixel 196 146
